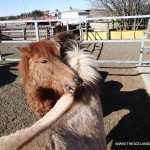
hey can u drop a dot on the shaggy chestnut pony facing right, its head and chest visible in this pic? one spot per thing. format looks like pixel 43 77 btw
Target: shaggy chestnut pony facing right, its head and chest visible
pixel 45 76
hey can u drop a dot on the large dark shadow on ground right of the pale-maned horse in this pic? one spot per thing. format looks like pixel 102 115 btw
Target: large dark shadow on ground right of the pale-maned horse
pixel 133 127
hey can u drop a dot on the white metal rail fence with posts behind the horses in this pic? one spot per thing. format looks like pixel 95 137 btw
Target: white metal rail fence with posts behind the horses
pixel 86 21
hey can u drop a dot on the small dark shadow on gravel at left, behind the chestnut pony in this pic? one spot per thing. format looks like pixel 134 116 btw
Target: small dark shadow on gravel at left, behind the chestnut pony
pixel 6 76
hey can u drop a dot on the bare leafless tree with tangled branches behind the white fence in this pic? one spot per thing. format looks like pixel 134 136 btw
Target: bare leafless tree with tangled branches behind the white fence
pixel 124 8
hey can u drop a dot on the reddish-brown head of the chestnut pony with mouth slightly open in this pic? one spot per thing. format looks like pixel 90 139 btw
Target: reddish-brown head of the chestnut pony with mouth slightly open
pixel 44 67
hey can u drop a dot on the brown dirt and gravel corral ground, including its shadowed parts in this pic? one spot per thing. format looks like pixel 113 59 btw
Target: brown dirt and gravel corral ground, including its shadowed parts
pixel 125 101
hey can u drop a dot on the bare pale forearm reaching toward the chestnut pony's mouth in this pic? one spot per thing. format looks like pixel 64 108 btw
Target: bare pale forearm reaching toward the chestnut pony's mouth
pixel 15 140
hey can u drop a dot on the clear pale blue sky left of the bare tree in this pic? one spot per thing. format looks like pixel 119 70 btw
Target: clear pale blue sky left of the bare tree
pixel 16 7
